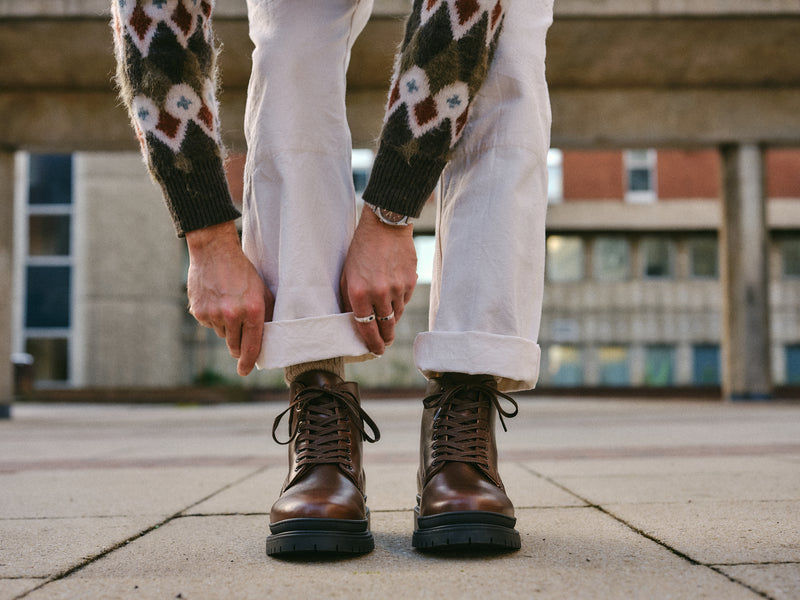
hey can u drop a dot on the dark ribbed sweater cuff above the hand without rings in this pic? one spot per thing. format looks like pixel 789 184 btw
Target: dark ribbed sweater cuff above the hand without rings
pixel 200 198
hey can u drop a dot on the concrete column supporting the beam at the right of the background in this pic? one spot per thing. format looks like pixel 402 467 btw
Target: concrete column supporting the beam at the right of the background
pixel 744 242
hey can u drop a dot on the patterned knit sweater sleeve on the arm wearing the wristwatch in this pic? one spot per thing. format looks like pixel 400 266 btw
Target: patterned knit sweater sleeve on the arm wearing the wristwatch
pixel 441 65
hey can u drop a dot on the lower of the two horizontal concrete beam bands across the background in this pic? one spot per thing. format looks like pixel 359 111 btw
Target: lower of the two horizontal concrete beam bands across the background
pixel 622 118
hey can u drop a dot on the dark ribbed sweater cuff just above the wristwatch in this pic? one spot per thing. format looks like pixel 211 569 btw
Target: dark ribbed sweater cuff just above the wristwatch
pixel 402 186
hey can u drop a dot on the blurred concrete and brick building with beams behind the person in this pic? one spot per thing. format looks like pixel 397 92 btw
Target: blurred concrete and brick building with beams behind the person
pixel 673 227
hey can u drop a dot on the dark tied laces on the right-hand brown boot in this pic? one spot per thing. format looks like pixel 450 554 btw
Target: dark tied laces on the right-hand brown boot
pixel 461 422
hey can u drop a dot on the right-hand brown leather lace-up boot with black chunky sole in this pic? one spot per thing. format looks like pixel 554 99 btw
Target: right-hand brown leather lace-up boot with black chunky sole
pixel 462 503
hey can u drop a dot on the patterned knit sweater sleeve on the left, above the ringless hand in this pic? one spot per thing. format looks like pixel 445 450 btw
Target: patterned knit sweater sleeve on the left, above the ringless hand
pixel 167 79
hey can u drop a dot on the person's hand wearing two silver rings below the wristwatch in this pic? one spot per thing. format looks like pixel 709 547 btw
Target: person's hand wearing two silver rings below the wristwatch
pixel 378 277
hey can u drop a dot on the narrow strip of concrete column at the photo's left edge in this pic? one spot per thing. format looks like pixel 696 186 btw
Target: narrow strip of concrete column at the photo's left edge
pixel 6 275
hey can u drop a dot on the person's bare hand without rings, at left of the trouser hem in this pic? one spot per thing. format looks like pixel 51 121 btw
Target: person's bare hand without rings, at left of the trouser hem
pixel 226 293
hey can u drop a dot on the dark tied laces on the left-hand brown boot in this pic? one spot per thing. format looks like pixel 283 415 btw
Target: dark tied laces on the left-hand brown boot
pixel 319 424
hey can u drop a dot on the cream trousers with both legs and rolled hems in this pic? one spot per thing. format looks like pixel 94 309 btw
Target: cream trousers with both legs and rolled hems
pixel 300 210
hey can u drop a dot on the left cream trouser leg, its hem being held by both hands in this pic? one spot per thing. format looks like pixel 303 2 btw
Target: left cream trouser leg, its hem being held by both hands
pixel 299 202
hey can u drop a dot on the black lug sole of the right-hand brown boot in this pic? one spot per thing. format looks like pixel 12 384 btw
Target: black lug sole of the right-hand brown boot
pixel 468 530
